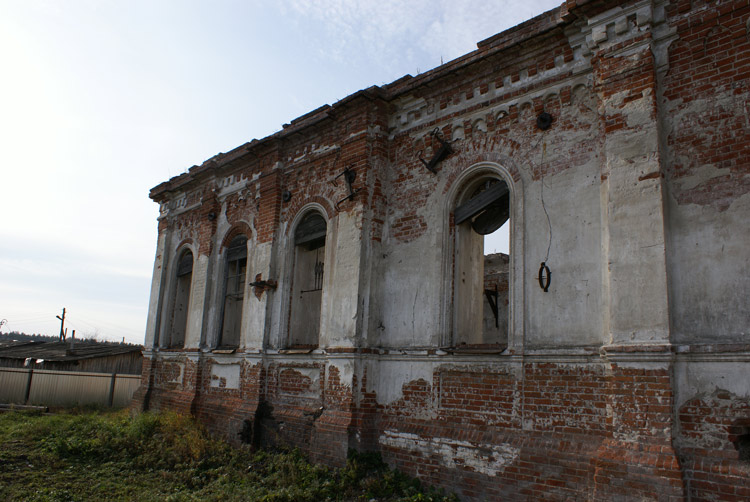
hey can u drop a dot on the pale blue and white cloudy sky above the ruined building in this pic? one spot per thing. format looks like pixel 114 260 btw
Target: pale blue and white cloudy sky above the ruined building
pixel 102 100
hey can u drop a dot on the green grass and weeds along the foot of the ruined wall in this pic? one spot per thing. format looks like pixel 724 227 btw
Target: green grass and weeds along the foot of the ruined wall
pixel 94 455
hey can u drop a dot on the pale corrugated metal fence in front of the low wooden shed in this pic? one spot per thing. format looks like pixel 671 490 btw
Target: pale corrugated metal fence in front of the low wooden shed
pixel 66 388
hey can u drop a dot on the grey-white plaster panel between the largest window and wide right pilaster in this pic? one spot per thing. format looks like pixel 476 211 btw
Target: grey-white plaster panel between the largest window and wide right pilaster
pixel 575 249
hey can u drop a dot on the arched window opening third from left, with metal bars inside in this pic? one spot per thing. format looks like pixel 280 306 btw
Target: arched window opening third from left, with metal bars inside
pixel 307 281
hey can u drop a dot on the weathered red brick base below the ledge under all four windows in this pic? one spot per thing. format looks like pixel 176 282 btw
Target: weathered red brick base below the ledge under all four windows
pixel 566 428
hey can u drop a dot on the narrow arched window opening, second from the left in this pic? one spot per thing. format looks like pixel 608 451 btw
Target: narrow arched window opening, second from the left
pixel 234 291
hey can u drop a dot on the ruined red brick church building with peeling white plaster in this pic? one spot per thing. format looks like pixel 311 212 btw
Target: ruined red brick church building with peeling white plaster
pixel 328 286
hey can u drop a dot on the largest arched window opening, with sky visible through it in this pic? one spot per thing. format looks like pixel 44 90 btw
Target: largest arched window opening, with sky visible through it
pixel 481 293
